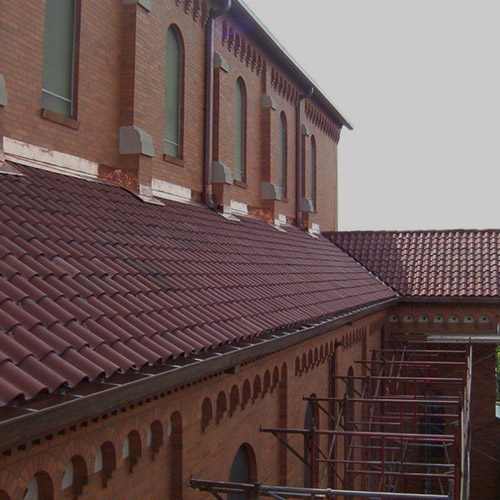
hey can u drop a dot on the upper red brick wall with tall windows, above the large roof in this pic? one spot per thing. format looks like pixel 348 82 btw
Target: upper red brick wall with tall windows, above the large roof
pixel 121 74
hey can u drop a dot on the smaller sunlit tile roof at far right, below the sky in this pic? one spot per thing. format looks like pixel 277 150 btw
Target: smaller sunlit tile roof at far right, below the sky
pixel 458 263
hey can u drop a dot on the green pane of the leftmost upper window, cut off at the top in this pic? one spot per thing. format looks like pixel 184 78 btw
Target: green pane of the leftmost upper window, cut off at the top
pixel 58 56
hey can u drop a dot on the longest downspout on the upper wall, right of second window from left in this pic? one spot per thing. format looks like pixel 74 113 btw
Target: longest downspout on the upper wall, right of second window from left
pixel 209 101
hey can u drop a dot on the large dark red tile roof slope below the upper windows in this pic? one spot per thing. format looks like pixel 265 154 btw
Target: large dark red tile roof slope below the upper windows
pixel 93 281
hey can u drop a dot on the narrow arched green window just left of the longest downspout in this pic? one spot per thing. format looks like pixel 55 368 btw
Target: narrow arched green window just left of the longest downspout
pixel 172 117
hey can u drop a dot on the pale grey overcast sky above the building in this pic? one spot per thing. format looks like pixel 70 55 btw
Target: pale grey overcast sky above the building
pixel 420 82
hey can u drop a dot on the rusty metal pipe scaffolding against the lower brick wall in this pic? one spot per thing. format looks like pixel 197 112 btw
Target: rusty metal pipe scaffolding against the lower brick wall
pixel 399 431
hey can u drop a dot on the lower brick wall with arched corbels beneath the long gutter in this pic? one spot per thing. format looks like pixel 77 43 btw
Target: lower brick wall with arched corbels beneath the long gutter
pixel 206 452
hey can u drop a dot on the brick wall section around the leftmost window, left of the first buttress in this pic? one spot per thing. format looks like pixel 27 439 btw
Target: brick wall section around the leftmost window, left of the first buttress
pixel 21 39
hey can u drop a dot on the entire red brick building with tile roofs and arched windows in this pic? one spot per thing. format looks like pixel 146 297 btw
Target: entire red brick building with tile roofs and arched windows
pixel 166 172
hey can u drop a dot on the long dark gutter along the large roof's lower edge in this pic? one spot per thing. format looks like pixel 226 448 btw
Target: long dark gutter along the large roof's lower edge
pixel 40 423
